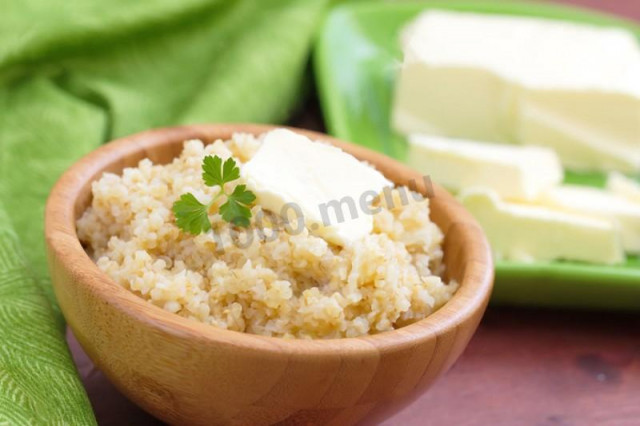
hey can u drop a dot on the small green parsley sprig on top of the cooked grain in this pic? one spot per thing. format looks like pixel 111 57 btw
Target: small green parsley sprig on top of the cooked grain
pixel 192 216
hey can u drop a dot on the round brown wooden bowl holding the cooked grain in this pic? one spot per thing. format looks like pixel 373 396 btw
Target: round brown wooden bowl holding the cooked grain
pixel 186 372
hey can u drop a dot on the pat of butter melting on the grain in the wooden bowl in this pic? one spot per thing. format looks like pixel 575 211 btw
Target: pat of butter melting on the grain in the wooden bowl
pixel 319 184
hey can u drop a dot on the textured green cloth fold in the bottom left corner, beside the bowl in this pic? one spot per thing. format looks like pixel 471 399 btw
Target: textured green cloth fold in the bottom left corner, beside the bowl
pixel 38 382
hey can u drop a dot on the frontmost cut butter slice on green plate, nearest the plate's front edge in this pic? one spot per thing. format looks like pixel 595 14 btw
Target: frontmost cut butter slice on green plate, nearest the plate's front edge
pixel 525 232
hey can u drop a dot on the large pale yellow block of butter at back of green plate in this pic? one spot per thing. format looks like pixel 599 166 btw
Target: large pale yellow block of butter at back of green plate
pixel 571 87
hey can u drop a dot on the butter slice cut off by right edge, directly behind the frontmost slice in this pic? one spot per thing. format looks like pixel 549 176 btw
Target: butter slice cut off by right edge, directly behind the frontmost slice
pixel 601 204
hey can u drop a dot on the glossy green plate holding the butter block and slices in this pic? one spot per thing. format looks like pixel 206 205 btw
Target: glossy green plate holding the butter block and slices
pixel 356 59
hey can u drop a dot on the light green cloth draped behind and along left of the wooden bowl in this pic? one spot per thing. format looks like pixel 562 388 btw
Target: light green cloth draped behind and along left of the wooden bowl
pixel 74 74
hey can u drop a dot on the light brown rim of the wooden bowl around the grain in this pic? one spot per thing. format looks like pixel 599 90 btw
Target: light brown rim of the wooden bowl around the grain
pixel 62 240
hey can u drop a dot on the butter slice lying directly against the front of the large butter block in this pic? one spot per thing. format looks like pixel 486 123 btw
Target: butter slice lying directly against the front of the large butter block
pixel 518 172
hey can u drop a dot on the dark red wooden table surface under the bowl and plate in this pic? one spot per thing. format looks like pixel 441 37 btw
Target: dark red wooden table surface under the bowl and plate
pixel 523 366
